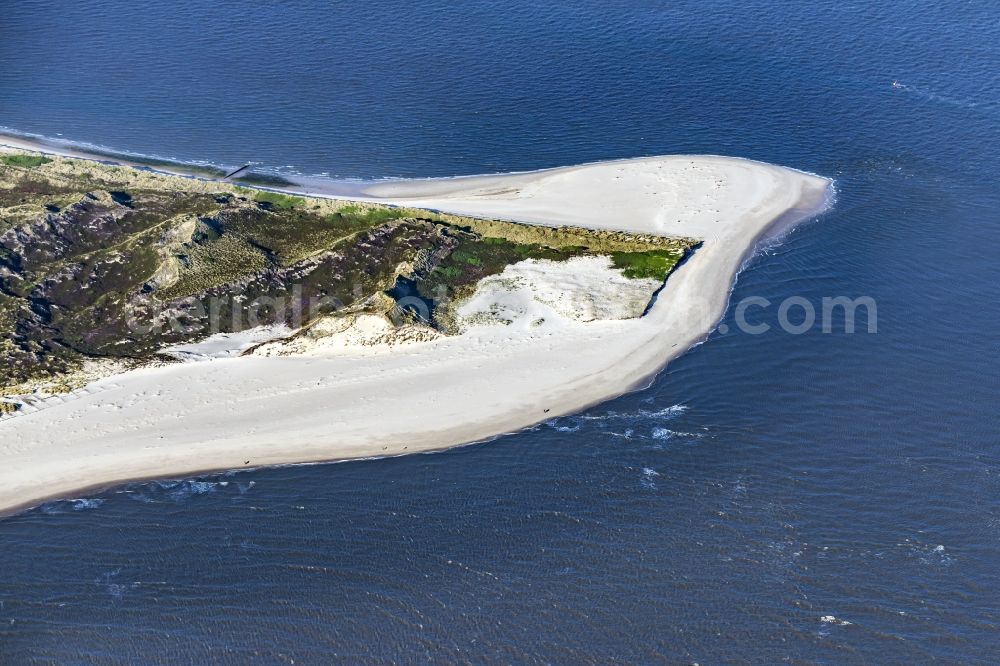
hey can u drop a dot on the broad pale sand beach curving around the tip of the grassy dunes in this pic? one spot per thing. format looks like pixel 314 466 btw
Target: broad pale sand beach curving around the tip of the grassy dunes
pixel 162 422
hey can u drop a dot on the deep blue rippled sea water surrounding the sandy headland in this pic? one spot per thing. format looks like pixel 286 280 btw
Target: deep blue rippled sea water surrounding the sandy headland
pixel 814 498
